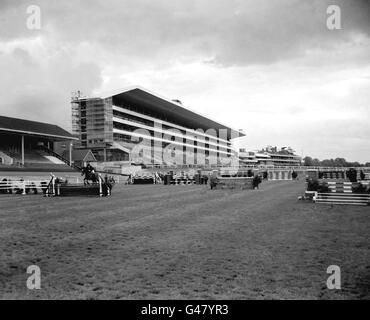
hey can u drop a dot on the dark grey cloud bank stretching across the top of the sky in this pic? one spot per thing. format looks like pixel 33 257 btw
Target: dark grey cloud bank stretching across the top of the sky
pixel 234 32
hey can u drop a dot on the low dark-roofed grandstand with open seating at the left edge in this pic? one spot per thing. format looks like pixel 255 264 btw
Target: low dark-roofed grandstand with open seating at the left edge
pixel 29 146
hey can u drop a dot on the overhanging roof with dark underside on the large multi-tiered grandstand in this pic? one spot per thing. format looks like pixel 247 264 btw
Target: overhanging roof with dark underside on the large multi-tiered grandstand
pixel 171 108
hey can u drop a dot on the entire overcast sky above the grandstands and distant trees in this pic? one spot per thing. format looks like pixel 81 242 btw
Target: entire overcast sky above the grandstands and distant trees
pixel 272 68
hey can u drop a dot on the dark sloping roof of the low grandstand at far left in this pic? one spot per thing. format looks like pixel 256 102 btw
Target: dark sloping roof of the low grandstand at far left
pixel 27 127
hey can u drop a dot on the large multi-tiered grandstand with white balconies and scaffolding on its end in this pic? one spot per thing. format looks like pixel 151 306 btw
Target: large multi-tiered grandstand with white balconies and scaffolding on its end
pixel 137 126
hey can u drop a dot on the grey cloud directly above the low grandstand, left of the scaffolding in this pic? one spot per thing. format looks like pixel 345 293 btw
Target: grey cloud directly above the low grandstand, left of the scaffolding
pixel 38 86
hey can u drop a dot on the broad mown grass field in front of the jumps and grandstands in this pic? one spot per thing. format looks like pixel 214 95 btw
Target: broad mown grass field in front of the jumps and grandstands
pixel 180 242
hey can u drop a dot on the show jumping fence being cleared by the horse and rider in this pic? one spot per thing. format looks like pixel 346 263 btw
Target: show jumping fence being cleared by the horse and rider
pixel 60 189
